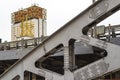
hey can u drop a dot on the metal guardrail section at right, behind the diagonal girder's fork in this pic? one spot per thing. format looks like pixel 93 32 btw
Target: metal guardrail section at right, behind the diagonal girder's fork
pixel 105 31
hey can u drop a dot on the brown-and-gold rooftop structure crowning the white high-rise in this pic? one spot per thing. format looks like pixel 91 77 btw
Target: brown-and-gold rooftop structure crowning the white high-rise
pixel 32 12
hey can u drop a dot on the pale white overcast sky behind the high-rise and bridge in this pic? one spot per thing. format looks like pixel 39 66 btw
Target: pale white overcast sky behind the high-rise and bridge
pixel 59 12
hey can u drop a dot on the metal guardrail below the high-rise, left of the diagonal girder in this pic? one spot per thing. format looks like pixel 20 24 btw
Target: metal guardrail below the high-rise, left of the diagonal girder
pixel 24 43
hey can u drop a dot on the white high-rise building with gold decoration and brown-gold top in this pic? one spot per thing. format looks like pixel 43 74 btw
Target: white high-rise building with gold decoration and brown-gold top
pixel 28 23
